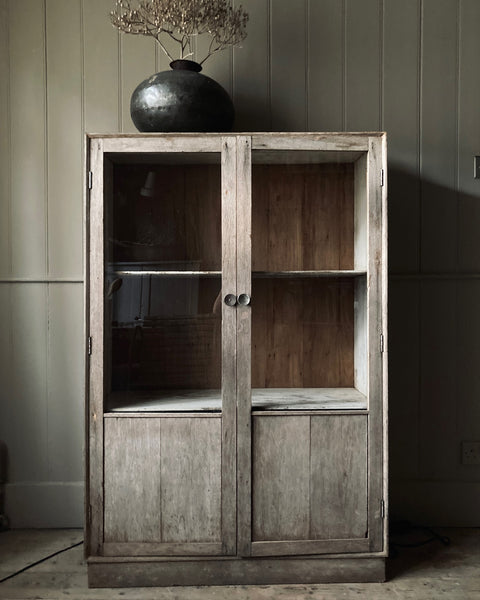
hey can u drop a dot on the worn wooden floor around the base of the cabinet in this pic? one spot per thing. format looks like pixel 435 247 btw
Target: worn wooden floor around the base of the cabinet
pixel 431 571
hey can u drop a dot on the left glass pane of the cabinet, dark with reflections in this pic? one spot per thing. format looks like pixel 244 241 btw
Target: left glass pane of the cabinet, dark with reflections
pixel 163 277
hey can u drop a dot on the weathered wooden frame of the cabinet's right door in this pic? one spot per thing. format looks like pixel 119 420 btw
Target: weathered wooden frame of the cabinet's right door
pixel 372 147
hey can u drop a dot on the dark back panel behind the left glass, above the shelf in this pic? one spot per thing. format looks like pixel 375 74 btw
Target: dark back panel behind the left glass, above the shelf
pixel 167 213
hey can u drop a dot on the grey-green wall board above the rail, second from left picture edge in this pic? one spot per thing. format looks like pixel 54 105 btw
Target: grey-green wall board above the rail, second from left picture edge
pixel 28 138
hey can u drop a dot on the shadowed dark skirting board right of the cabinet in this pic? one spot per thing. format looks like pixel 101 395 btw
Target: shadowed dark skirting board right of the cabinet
pixel 436 503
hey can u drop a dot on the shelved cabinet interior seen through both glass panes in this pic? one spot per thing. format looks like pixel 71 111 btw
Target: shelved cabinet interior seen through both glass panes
pixel 309 273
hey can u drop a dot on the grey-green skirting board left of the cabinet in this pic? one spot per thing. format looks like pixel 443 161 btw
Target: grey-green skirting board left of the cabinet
pixel 45 505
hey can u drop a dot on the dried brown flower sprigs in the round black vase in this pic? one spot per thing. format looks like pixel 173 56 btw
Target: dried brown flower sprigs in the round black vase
pixel 182 20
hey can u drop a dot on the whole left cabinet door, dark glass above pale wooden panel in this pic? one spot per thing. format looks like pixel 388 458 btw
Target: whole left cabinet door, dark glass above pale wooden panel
pixel 165 394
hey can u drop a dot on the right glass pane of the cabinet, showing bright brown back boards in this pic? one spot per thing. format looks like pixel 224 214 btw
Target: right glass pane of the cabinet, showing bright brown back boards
pixel 307 247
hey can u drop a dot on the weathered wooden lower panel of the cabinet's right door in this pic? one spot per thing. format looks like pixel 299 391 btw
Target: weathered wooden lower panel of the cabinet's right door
pixel 309 484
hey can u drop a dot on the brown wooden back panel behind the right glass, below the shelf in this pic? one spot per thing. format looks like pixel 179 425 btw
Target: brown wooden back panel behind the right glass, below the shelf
pixel 303 332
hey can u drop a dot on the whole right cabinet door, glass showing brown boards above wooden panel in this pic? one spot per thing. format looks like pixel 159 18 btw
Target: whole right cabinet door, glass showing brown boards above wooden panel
pixel 307 389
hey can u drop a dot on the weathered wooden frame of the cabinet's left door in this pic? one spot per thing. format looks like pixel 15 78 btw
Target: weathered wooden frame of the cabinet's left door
pixel 97 146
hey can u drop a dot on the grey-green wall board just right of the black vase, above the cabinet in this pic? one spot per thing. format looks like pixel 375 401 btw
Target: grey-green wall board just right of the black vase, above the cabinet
pixel 251 85
